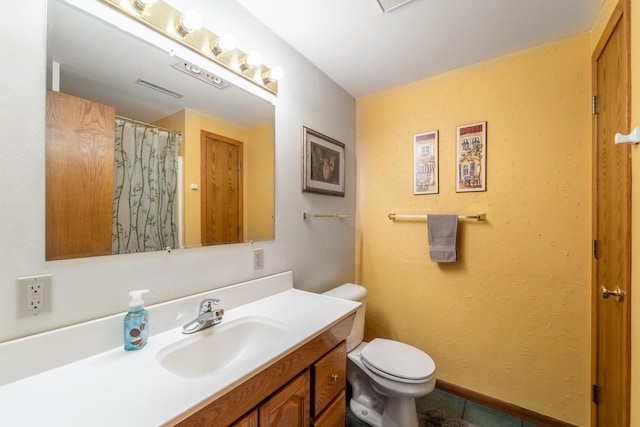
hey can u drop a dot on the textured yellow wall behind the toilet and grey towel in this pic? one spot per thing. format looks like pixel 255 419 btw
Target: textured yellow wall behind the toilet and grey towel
pixel 511 318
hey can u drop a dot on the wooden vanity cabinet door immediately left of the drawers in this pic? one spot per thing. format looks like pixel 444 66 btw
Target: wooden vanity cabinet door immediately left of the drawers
pixel 289 406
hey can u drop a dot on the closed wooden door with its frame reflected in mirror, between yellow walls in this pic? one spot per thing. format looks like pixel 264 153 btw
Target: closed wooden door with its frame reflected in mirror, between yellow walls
pixel 221 189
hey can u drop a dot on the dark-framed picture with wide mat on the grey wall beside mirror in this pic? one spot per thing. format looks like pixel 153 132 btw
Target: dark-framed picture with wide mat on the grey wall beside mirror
pixel 323 164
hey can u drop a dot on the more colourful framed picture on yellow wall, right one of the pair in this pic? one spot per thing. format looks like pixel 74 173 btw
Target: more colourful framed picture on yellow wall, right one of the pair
pixel 471 157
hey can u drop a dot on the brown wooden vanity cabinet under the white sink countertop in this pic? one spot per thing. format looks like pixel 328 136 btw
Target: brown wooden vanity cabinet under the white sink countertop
pixel 304 388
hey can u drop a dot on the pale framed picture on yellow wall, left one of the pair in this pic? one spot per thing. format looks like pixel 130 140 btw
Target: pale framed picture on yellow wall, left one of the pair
pixel 425 163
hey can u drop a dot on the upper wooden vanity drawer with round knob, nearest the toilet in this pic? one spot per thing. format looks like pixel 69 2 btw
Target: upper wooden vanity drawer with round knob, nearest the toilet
pixel 329 377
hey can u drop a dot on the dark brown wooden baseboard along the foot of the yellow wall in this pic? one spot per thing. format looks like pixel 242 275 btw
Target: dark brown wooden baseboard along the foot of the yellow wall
pixel 499 405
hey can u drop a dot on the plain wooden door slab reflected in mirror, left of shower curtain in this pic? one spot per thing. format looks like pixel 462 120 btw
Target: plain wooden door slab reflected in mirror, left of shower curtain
pixel 80 141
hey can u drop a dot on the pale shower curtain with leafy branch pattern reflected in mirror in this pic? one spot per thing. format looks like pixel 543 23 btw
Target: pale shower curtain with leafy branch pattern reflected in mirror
pixel 145 205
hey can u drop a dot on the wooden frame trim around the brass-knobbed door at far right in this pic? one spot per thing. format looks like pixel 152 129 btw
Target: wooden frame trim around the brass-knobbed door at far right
pixel 620 16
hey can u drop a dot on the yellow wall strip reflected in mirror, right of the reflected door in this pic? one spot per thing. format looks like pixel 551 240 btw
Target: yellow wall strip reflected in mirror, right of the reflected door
pixel 259 195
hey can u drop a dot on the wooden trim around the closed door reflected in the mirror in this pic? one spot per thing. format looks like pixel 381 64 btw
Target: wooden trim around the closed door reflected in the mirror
pixel 203 182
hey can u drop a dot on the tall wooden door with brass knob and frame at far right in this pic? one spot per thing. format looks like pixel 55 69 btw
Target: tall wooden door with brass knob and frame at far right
pixel 611 228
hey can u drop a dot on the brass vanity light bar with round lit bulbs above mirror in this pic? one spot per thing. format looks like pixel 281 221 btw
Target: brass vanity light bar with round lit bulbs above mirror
pixel 220 49
